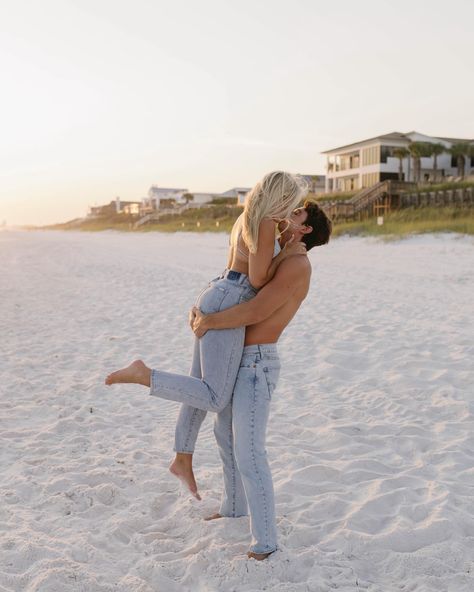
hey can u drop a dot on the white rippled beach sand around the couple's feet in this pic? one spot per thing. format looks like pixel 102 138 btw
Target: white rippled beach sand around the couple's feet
pixel 371 438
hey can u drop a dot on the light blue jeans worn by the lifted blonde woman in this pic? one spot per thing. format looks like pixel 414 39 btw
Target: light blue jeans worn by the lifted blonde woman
pixel 216 358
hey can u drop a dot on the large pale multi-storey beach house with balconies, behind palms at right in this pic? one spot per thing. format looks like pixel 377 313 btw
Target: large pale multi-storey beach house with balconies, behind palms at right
pixel 366 162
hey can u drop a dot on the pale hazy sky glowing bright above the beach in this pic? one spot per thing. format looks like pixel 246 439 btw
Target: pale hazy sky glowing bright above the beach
pixel 103 98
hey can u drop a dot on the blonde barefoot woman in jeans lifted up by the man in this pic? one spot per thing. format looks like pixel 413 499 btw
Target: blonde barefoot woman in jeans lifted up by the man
pixel 254 256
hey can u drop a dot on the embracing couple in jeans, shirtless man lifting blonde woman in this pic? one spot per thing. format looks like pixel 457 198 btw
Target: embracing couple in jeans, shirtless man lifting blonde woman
pixel 237 322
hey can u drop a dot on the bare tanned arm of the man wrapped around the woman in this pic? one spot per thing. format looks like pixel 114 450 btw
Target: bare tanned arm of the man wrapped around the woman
pixel 290 275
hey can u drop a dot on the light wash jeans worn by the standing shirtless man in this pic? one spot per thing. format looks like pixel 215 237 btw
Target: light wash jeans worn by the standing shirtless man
pixel 240 433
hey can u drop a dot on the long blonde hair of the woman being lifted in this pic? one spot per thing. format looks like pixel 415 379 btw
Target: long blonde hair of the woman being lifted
pixel 275 196
